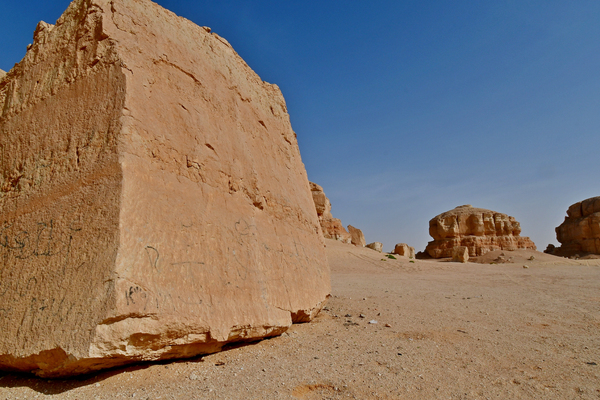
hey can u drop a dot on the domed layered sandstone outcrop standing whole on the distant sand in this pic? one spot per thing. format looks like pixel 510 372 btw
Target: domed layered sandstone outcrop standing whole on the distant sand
pixel 478 229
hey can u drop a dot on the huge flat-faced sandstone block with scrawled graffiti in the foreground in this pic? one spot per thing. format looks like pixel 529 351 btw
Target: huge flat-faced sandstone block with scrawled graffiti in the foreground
pixel 153 200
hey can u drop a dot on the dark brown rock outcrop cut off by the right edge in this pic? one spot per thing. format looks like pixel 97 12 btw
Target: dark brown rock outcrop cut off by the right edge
pixel 580 232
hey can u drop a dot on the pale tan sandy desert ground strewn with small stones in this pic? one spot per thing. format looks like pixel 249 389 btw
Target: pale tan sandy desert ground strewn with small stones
pixel 396 329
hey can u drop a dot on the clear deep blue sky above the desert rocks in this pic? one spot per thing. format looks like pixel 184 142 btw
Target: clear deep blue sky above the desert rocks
pixel 406 109
